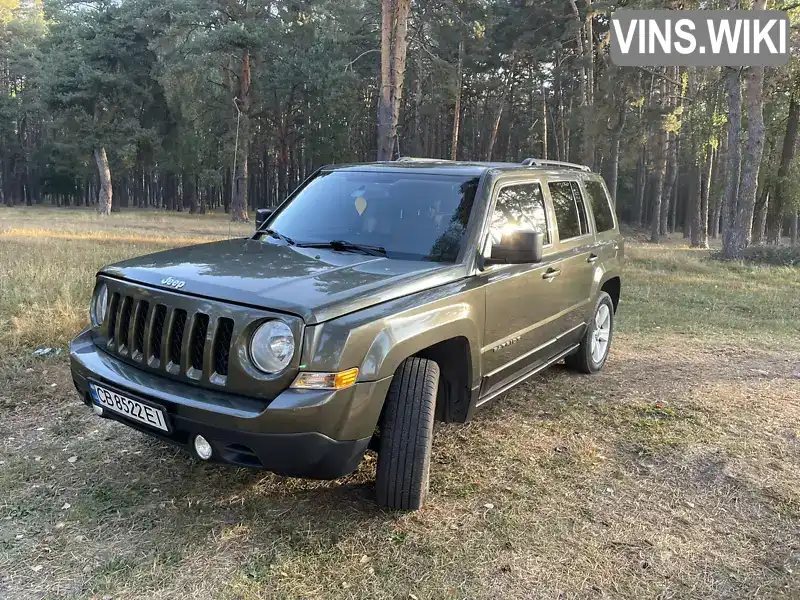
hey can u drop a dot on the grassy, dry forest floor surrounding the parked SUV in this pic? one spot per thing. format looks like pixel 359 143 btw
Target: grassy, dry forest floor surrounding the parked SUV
pixel 675 473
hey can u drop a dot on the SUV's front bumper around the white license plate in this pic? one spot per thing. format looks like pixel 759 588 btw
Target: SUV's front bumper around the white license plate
pixel 318 434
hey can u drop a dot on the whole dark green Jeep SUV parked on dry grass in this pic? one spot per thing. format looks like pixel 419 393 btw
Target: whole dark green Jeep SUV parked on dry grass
pixel 376 299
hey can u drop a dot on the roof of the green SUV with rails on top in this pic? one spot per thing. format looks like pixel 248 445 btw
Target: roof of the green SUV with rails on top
pixel 435 166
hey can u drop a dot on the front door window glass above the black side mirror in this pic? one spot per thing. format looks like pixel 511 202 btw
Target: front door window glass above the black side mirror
pixel 519 207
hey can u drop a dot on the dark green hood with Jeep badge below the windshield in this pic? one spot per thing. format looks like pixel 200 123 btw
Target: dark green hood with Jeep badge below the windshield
pixel 318 284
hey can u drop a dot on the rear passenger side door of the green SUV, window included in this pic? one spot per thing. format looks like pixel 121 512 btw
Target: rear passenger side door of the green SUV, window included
pixel 575 249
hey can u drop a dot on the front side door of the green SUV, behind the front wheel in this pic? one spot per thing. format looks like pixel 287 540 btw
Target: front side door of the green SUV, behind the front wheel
pixel 520 330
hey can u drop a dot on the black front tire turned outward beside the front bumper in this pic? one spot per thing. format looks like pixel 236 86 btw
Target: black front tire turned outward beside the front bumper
pixel 406 433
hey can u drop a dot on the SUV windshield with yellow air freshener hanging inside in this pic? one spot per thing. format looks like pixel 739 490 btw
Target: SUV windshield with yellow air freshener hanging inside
pixel 412 216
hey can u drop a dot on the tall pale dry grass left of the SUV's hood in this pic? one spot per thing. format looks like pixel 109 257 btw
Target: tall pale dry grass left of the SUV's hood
pixel 48 259
